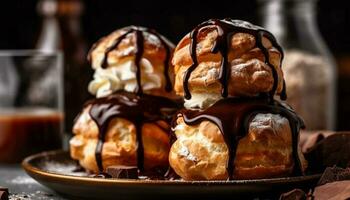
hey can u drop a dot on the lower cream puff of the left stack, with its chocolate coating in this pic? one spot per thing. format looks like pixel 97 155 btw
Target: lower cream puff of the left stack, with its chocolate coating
pixel 123 129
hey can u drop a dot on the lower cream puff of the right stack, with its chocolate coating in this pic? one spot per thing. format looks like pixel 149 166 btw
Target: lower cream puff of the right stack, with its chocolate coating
pixel 237 138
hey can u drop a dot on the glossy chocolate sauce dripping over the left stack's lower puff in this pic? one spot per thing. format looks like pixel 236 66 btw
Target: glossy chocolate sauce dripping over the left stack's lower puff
pixel 135 108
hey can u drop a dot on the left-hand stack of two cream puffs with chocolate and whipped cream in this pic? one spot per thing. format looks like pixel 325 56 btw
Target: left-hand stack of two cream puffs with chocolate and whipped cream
pixel 105 132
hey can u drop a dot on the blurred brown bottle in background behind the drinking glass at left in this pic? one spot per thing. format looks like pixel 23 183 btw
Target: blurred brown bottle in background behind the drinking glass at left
pixel 61 30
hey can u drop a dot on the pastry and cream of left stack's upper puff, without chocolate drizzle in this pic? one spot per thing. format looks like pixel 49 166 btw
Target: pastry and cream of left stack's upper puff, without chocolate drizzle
pixel 119 72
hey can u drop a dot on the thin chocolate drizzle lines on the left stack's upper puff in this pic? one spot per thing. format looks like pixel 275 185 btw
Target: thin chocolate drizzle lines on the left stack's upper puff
pixel 139 49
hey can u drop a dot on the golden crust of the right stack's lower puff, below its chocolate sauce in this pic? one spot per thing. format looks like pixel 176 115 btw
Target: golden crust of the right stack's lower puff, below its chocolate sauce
pixel 200 153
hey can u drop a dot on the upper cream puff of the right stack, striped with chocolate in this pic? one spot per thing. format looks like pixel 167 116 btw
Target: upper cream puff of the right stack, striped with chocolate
pixel 251 63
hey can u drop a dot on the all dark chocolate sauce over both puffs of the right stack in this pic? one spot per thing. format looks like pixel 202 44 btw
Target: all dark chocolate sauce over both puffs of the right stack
pixel 233 115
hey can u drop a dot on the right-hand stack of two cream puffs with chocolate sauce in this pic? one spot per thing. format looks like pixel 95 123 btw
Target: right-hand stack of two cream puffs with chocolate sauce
pixel 200 151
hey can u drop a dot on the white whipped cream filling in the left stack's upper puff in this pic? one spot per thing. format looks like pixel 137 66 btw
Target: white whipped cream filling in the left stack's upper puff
pixel 123 76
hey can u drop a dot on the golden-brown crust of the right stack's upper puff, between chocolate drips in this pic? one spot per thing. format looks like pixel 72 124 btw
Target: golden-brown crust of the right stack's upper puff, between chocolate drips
pixel 249 73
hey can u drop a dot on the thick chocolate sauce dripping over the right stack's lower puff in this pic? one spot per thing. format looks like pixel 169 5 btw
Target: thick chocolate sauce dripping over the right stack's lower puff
pixel 233 115
